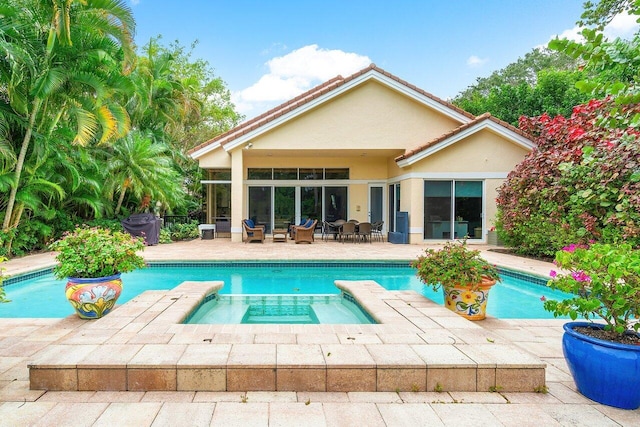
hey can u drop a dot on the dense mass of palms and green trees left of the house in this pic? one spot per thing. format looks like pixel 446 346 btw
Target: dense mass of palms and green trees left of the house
pixel 90 128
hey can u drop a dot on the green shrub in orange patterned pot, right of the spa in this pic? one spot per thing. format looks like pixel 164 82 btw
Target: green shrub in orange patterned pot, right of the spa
pixel 464 276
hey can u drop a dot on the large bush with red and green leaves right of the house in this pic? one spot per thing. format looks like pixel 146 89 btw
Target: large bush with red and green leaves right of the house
pixel 581 183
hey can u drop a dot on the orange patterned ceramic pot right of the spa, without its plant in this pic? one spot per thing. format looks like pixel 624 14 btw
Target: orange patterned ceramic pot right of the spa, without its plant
pixel 468 301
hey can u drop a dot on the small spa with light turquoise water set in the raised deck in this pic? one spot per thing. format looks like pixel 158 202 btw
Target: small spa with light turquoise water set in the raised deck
pixel 282 309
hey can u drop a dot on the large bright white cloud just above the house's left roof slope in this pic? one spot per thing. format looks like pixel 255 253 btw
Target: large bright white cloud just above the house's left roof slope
pixel 294 73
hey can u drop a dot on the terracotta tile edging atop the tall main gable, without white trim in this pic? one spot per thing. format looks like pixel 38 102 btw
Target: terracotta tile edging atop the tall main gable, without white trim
pixel 307 97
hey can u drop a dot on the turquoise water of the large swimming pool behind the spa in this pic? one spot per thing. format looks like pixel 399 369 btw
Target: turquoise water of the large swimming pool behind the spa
pixel 43 296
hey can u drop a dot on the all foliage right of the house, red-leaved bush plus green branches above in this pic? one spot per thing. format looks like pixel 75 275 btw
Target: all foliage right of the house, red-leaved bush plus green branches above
pixel 582 182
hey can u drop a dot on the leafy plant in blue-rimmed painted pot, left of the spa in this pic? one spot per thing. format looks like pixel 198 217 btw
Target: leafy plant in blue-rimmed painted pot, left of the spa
pixel 92 260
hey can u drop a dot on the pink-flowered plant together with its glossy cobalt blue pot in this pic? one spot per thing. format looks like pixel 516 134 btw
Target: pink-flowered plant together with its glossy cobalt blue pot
pixel 604 282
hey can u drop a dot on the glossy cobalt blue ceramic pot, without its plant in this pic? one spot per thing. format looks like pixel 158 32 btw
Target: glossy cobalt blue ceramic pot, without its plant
pixel 604 371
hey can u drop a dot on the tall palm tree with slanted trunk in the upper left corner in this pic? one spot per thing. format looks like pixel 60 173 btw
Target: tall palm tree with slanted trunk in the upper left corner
pixel 61 69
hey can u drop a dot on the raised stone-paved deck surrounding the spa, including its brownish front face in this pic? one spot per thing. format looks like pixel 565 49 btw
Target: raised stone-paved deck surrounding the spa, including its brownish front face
pixel 417 345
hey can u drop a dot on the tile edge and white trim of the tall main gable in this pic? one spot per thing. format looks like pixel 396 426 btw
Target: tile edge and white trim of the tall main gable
pixel 319 95
